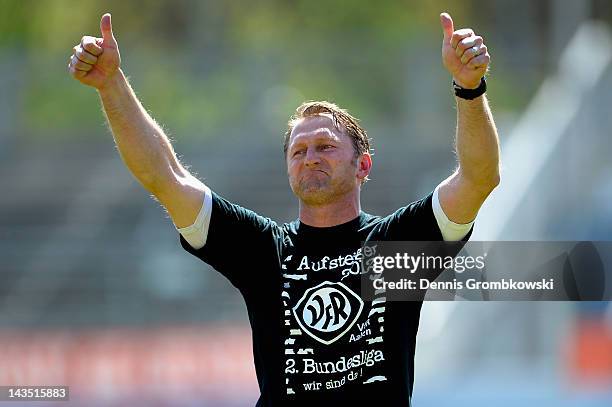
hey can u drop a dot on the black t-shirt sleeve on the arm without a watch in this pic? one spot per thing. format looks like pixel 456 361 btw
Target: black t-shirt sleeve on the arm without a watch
pixel 240 244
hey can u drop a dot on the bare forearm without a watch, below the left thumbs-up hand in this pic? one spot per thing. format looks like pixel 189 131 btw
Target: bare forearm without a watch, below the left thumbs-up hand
pixel 143 146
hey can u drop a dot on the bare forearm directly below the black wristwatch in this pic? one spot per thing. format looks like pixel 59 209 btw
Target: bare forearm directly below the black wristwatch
pixel 477 142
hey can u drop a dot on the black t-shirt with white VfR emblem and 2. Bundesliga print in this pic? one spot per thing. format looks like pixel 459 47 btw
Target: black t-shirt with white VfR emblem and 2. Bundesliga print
pixel 315 341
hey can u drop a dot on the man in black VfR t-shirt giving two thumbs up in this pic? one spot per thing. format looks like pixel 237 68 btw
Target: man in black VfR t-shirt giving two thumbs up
pixel 314 339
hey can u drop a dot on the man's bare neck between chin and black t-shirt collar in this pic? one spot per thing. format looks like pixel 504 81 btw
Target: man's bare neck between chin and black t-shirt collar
pixel 332 214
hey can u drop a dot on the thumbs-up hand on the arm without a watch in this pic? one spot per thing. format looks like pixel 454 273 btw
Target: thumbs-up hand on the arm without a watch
pixel 95 60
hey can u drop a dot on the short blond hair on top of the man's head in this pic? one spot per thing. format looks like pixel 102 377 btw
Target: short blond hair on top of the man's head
pixel 341 118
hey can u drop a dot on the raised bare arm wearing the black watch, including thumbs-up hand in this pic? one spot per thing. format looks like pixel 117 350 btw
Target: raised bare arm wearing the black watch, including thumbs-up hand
pixel 463 193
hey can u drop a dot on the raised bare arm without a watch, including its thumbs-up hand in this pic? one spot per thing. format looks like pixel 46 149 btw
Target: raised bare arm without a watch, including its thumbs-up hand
pixel 143 146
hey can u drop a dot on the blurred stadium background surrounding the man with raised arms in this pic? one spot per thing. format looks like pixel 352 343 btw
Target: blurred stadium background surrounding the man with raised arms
pixel 96 292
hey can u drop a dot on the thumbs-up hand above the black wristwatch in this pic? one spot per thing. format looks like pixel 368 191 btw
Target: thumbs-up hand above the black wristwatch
pixel 463 53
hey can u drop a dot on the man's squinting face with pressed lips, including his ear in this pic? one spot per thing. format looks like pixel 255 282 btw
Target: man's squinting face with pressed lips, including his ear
pixel 321 161
